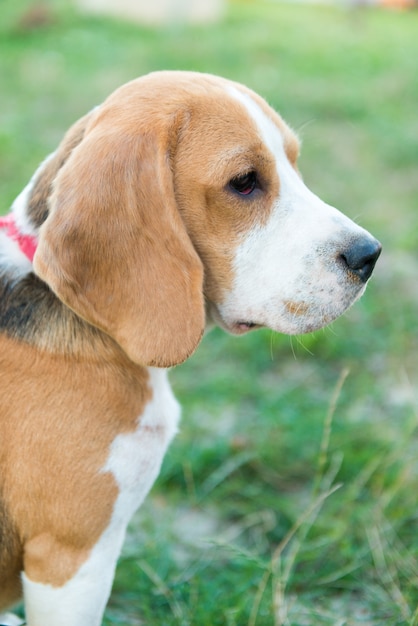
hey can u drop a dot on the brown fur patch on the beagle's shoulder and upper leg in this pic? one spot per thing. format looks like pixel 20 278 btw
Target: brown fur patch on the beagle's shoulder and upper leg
pixel 55 492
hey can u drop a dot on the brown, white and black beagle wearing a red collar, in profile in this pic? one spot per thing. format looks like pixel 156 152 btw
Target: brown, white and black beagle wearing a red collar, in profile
pixel 174 205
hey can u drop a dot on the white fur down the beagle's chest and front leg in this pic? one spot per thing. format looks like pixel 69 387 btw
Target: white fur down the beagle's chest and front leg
pixel 134 460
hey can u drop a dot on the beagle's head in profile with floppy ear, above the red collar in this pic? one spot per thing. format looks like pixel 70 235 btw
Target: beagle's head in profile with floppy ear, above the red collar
pixel 181 193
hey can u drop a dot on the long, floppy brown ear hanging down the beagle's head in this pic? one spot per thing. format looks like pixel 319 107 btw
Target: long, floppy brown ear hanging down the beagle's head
pixel 115 250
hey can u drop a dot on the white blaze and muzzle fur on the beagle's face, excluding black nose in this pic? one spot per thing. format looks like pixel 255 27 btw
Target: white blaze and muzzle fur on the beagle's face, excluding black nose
pixel 286 272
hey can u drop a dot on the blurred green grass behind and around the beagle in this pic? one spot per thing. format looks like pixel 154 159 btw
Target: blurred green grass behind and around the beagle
pixel 290 495
